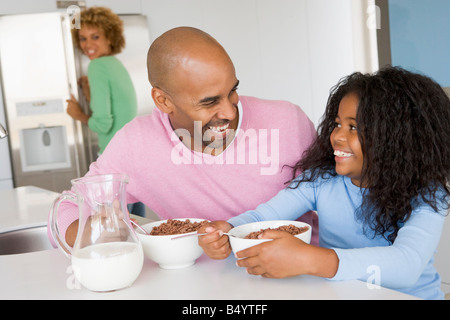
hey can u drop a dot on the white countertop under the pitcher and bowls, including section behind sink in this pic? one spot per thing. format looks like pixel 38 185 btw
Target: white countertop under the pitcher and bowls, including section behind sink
pixel 47 274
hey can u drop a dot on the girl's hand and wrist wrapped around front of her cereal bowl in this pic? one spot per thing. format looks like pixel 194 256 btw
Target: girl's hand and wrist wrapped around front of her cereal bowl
pixel 287 256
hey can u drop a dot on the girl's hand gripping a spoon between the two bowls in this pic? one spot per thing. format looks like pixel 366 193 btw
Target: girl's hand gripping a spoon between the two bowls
pixel 215 244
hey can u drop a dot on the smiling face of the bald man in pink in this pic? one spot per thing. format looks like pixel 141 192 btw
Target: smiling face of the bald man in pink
pixel 204 97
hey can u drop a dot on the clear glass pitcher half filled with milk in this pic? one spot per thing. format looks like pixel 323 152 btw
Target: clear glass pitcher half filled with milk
pixel 107 254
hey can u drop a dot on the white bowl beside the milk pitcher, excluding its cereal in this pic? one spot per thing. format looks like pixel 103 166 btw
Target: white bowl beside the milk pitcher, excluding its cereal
pixel 168 253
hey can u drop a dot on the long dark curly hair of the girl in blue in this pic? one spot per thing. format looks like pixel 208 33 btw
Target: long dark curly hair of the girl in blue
pixel 403 122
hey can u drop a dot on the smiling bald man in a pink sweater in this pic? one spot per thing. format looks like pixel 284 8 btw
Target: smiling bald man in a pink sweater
pixel 204 152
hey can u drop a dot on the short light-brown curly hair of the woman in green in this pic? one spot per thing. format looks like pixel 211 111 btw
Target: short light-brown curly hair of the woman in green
pixel 102 18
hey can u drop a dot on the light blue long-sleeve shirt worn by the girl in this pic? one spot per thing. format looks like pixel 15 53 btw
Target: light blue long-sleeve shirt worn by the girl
pixel 406 265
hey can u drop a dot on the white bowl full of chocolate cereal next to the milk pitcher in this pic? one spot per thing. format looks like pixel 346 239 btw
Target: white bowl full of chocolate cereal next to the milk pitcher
pixel 171 254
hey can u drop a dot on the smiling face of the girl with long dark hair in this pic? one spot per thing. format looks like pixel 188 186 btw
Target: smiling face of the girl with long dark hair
pixel 345 142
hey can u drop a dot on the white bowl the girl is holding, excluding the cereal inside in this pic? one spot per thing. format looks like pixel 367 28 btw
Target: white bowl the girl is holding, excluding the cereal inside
pixel 238 242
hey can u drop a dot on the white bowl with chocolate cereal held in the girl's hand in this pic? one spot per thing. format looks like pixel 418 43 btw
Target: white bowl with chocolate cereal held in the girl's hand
pixel 246 235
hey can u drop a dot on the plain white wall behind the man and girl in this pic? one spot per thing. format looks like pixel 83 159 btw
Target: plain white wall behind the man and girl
pixel 292 50
